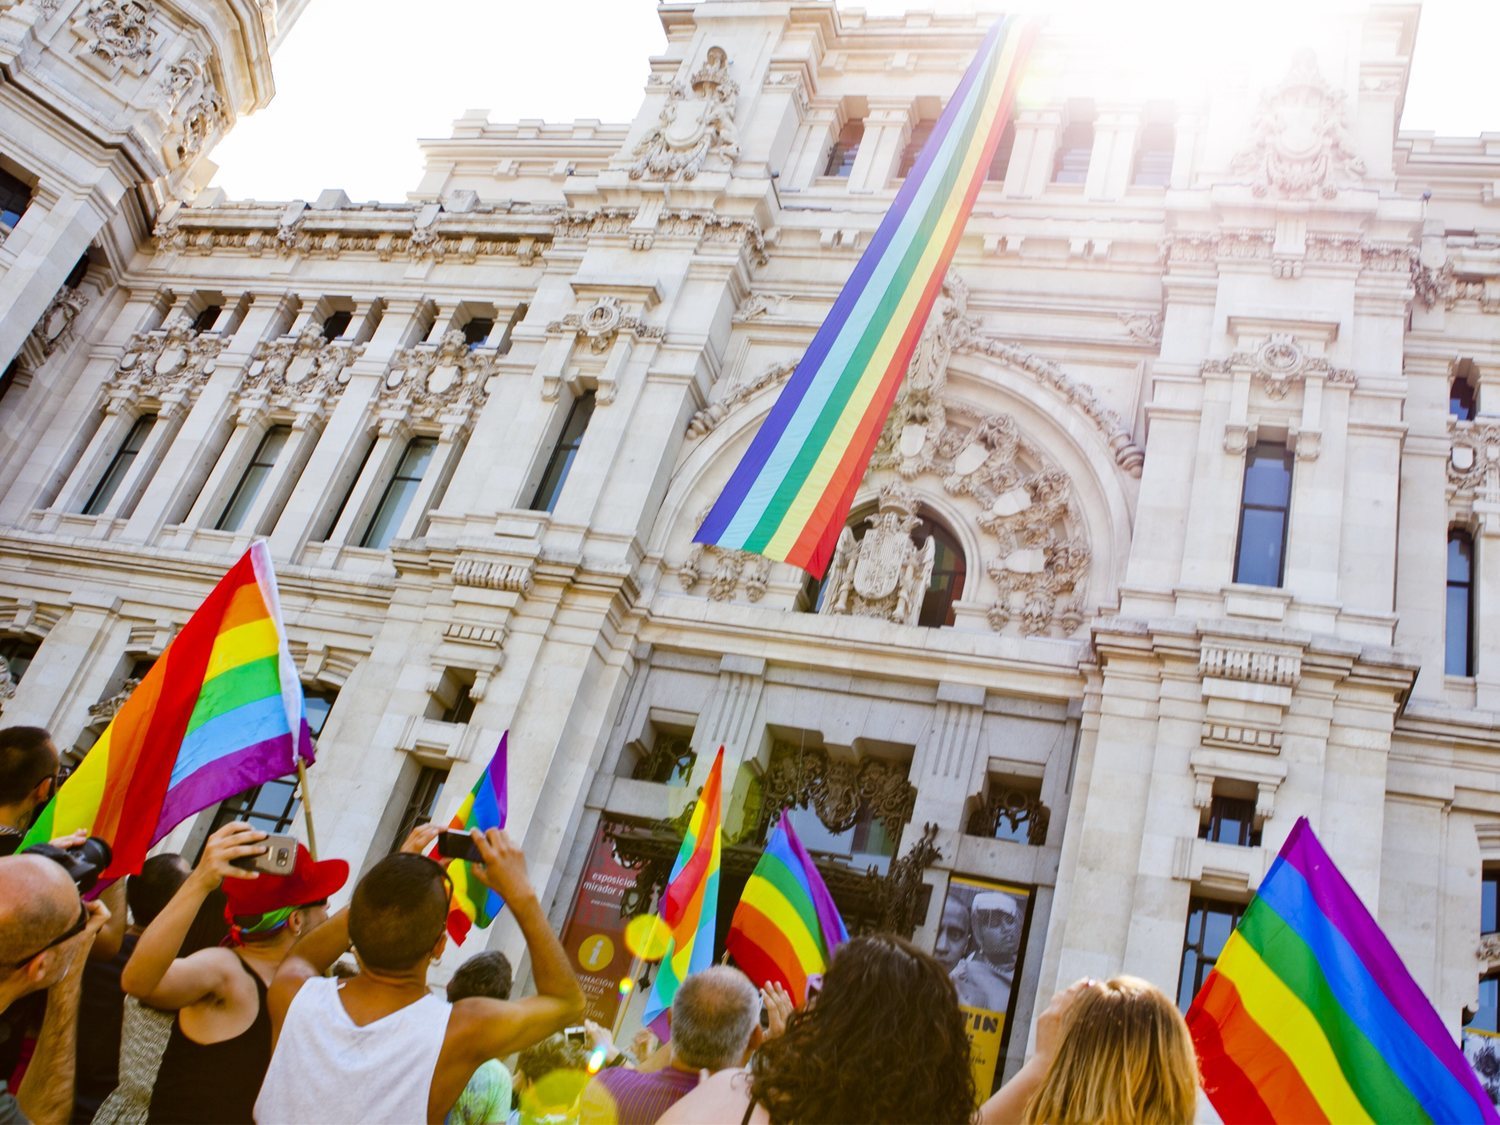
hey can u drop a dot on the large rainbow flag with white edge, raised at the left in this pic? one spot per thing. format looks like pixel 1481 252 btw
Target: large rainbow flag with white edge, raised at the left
pixel 220 712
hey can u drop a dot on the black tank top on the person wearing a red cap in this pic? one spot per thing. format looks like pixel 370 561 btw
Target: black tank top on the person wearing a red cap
pixel 214 1084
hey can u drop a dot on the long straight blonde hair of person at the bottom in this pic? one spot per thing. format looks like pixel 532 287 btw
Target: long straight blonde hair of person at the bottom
pixel 1126 1055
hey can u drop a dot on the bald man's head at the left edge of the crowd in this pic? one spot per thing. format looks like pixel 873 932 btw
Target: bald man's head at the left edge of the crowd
pixel 40 911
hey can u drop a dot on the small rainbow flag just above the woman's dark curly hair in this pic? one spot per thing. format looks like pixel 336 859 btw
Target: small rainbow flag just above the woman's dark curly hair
pixel 787 926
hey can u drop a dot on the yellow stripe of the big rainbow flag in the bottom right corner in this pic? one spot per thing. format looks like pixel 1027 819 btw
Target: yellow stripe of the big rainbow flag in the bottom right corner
pixel 1288 1021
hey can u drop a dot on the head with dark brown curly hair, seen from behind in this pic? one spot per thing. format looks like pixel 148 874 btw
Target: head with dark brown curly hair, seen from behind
pixel 884 1042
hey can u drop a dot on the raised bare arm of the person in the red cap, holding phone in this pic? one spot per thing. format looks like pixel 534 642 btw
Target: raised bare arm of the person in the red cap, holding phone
pixel 155 976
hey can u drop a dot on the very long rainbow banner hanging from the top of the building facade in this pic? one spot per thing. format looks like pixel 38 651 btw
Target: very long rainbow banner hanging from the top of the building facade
pixel 791 493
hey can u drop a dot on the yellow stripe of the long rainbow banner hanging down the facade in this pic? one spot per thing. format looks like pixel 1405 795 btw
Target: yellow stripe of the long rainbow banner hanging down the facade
pixel 838 445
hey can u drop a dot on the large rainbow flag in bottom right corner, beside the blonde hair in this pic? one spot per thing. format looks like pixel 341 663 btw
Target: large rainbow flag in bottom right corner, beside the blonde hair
pixel 1310 1015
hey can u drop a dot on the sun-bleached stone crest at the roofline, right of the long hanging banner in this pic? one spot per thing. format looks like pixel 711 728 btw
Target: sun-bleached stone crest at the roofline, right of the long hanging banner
pixel 1301 146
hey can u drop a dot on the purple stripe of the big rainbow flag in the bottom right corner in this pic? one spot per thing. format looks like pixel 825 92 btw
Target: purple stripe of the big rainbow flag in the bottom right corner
pixel 1343 908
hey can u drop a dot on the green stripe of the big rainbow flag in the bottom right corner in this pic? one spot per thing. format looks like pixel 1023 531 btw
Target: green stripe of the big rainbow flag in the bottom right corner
pixel 1379 1090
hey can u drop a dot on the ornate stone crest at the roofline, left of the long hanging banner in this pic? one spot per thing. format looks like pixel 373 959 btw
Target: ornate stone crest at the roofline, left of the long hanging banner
pixel 697 127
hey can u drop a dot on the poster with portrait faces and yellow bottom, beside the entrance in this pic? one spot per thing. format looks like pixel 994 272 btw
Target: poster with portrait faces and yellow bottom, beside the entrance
pixel 980 947
